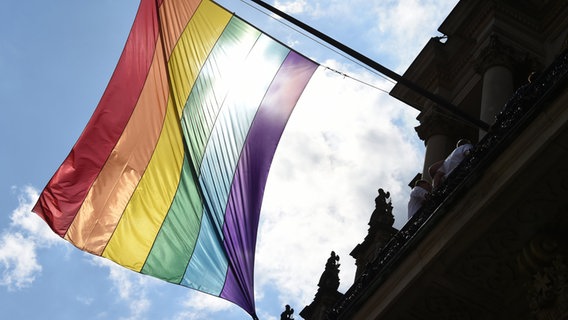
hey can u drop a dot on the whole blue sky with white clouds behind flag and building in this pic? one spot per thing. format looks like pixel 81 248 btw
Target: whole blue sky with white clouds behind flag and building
pixel 343 142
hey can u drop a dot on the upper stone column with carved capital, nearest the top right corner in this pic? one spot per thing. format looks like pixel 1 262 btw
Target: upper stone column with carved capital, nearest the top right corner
pixel 495 65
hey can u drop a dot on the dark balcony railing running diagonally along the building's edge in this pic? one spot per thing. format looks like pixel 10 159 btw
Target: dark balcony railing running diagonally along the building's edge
pixel 517 113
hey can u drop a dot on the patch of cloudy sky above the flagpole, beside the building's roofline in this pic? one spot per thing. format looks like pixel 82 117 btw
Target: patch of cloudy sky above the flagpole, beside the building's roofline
pixel 392 31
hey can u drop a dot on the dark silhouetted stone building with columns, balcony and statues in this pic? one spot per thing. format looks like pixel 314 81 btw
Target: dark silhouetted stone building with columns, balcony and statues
pixel 490 242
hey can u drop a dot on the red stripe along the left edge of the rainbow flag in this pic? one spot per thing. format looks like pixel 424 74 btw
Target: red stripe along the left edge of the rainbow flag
pixel 65 192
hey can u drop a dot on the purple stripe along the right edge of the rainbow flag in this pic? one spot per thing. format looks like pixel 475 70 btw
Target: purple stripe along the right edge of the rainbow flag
pixel 245 199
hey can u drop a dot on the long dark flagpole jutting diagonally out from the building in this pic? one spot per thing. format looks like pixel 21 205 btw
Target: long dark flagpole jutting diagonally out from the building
pixel 443 103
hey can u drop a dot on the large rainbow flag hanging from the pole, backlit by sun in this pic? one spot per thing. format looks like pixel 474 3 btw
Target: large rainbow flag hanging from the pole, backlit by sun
pixel 168 176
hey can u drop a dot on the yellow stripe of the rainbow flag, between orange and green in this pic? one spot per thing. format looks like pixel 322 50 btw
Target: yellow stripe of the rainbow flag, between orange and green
pixel 141 221
